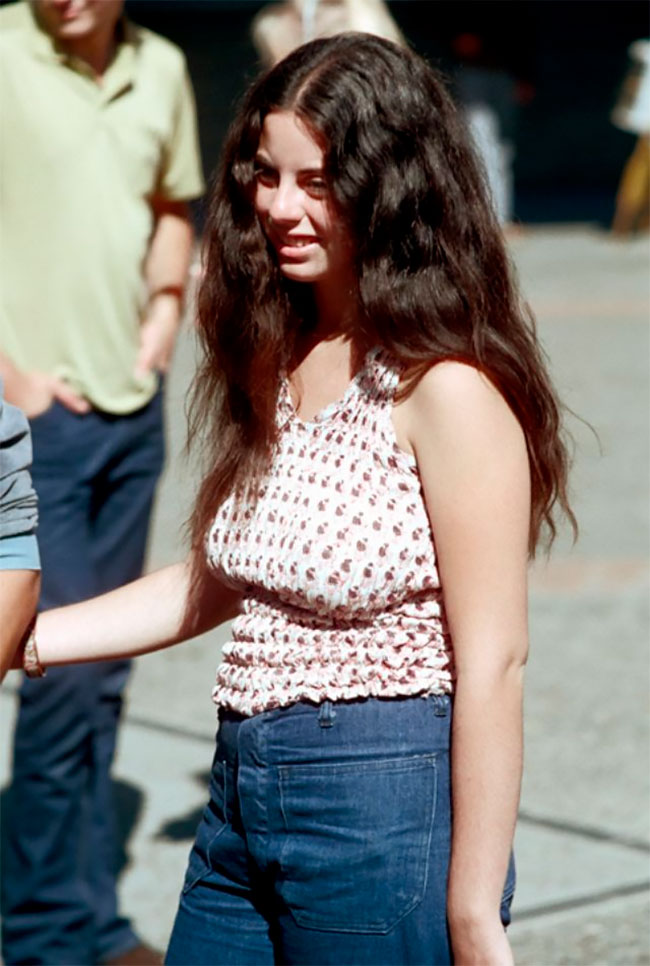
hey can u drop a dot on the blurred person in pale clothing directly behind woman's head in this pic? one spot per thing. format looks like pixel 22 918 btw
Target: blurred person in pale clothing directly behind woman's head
pixel 280 27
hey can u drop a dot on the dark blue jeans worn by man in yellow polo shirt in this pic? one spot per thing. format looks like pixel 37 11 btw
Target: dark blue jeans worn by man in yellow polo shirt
pixel 95 477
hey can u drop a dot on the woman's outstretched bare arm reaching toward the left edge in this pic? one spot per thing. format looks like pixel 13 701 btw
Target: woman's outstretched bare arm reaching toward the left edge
pixel 154 612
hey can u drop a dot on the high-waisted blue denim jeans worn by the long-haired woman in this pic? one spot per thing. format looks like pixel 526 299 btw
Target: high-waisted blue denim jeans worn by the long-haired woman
pixel 326 839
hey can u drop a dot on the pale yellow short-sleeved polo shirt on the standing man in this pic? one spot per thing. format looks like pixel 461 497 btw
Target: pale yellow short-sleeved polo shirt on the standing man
pixel 79 163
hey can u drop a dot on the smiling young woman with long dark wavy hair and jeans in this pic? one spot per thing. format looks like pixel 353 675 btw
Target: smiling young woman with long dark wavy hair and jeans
pixel 383 451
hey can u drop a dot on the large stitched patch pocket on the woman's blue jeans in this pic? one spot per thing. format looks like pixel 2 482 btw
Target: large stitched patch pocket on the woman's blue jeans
pixel 357 839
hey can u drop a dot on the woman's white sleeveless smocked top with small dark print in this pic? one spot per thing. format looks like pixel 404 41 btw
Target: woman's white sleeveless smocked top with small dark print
pixel 336 559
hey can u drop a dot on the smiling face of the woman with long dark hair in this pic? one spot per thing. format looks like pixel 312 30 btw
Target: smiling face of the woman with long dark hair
pixel 293 202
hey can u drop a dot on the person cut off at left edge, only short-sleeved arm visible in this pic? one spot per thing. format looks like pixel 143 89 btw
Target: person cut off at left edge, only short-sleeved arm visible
pixel 19 560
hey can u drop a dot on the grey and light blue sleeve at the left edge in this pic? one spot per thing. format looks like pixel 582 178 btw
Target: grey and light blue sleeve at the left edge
pixel 18 502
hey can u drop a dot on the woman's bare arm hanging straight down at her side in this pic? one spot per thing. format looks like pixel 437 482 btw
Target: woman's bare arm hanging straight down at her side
pixel 473 463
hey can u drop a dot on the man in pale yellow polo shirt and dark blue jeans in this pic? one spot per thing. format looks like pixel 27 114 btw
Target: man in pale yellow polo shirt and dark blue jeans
pixel 98 160
